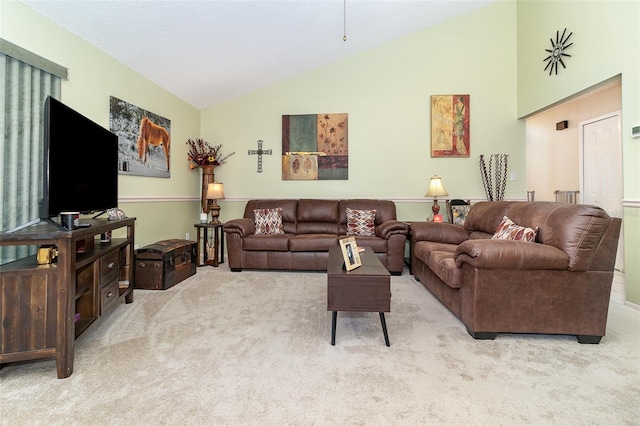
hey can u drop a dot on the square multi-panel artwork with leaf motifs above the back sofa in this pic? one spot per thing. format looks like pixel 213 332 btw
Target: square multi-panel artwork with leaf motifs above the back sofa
pixel 315 147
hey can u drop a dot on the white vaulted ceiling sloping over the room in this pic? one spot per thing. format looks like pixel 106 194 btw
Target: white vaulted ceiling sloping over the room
pixel 208 52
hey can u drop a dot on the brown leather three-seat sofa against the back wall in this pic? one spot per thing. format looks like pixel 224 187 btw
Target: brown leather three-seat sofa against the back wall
pixel 311 226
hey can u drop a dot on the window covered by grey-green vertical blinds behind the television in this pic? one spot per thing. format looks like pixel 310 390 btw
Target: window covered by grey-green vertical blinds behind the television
pixel 26 80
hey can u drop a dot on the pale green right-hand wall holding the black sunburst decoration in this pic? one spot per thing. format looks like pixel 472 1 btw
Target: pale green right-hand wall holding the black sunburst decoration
pixel 606 38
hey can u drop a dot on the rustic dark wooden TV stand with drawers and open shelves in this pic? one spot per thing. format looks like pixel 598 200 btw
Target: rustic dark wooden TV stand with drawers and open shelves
pixel 40 304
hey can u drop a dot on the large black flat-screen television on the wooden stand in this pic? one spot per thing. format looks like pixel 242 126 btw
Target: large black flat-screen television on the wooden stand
pixel 80 163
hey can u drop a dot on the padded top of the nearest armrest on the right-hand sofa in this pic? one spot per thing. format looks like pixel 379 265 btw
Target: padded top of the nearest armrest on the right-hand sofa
pixel 507 254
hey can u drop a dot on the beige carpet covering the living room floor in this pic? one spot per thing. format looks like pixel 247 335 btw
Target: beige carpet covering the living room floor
pixel 247 348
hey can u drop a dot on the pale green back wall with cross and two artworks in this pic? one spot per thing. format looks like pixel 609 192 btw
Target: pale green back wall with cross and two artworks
pixel 386 92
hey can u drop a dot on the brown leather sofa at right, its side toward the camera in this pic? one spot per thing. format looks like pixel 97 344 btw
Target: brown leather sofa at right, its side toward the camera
pixel 559 284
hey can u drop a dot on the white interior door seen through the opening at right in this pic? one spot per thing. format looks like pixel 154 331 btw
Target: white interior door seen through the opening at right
pixel 601 174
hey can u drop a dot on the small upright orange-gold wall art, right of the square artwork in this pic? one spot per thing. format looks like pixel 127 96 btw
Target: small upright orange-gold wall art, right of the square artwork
pixel 450 126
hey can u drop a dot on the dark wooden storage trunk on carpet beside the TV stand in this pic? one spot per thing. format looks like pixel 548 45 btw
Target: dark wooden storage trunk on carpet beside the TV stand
pixel 164 264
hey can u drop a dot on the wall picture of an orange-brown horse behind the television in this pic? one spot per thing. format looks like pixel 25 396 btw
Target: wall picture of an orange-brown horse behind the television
pixel 144 140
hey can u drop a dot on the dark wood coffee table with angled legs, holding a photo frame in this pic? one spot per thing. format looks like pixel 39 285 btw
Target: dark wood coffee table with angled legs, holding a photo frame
pixel 364 289
